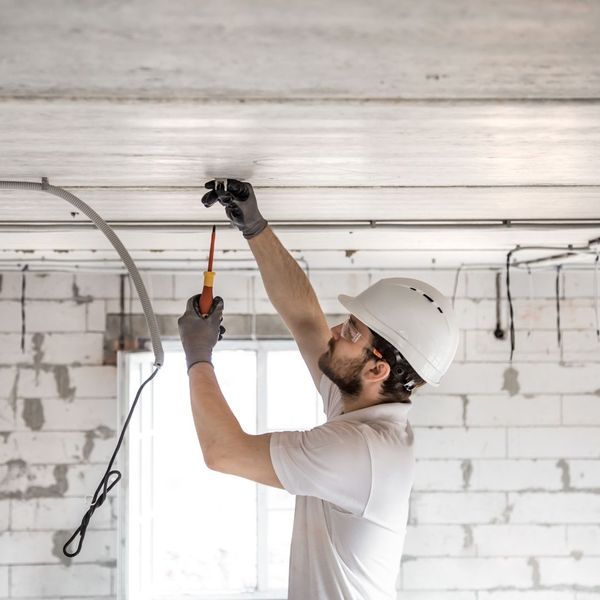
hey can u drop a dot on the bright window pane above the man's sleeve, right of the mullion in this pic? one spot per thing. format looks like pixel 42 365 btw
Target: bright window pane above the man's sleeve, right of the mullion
pixel 293 402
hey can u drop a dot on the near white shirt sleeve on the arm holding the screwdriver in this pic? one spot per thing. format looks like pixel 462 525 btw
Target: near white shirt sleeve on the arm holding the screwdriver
pixel 331 462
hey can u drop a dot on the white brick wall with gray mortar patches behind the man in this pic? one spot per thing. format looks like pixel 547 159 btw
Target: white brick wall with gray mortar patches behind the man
pixel 506 498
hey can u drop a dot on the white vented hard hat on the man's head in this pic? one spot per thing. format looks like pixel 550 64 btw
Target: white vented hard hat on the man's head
pixel 415 318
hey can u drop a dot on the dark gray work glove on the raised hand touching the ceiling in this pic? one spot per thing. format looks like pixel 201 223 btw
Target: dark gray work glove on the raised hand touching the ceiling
pixel 240 205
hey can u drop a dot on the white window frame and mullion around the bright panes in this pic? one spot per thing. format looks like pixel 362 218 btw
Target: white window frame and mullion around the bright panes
pixel 127 387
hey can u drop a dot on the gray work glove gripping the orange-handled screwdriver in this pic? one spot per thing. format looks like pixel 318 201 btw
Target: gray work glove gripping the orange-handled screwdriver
pixel 198 334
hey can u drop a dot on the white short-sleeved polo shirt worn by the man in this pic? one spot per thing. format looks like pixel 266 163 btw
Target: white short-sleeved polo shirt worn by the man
pixel 352 478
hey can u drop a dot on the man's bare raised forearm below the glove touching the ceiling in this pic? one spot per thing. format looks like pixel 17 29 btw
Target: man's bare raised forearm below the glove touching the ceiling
pixel 287 285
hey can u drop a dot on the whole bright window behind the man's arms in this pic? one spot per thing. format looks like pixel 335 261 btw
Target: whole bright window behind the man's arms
pixel 186 531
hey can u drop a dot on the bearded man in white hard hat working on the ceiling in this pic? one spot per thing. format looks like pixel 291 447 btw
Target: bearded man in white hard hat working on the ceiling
pixel 352 475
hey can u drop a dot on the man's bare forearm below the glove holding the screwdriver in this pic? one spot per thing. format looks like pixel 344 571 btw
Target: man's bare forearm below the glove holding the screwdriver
pixel 215 424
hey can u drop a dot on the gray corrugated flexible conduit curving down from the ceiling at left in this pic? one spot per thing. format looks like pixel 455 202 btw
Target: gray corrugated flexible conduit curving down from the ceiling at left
pixel 117 244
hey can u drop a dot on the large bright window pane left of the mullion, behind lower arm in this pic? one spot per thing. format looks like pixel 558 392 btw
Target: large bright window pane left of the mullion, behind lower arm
pixel 205 525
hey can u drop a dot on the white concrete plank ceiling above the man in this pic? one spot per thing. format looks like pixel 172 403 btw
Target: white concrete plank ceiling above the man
pixel 353 120
